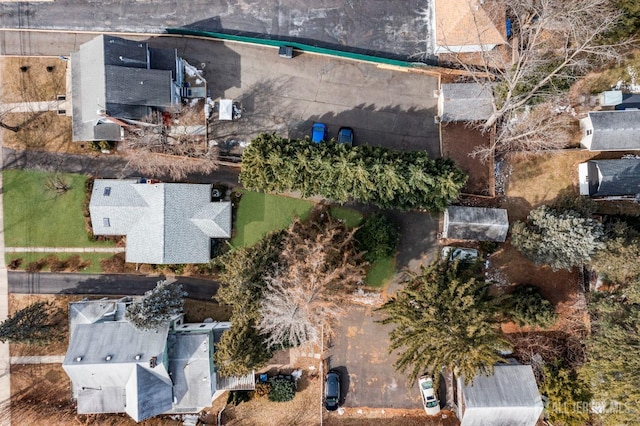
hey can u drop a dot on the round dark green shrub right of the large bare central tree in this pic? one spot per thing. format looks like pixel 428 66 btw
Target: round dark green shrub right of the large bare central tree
pixel 376 238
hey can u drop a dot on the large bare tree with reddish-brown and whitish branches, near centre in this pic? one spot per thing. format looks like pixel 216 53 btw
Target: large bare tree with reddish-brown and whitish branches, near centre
pixel 320 263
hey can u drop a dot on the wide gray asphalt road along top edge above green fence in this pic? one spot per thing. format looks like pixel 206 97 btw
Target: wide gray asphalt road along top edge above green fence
pixel 401 27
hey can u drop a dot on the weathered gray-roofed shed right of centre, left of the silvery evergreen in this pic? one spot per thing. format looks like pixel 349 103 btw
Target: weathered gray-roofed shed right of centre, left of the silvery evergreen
pixel 475 223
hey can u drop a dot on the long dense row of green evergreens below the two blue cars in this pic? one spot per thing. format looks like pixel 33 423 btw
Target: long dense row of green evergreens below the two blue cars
pixel 369 174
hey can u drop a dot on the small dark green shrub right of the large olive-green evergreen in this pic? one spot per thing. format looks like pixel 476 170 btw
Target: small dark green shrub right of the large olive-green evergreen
pixel 526 306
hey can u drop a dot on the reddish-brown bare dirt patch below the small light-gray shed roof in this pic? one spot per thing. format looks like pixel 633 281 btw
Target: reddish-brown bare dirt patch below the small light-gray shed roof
pixel 458 140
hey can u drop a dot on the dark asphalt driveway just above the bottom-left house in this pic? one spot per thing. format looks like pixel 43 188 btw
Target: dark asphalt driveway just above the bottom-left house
pixel 106 284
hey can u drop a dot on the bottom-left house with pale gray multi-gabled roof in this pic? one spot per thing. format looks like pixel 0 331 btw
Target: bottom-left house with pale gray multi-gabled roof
pixel 116 368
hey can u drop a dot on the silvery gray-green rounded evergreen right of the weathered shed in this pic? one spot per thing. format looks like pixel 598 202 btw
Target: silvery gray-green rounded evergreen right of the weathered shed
pixel 560 239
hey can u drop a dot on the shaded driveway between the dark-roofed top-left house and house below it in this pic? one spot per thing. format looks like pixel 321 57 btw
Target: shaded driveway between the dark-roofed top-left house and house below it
pixel 105 166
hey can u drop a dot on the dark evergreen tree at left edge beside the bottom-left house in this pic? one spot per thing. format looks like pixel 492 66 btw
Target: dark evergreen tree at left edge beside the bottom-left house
pixel 38 323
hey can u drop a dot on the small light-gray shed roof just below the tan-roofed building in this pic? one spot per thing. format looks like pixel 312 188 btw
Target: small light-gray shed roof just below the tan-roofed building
pixel 464 102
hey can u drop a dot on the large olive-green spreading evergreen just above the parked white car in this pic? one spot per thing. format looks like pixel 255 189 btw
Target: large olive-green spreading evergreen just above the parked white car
pixel 445 317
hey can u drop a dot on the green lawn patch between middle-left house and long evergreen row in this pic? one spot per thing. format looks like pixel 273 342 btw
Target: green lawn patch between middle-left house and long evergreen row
pixel 259 213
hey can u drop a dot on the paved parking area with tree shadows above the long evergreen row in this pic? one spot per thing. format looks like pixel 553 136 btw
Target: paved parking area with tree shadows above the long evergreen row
pixel 384 107
